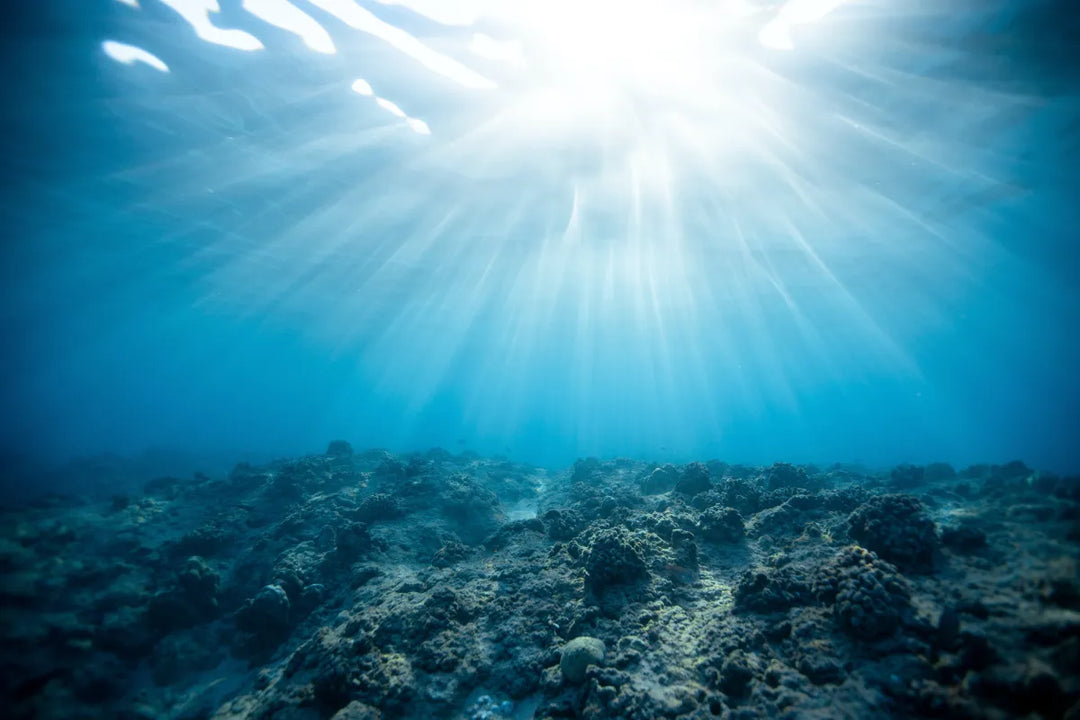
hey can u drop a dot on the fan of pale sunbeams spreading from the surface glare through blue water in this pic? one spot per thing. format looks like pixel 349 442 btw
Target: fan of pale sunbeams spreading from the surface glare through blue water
pixel 646 196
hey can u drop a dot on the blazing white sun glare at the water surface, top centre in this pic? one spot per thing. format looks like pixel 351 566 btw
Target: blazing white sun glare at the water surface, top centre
pixel 679 81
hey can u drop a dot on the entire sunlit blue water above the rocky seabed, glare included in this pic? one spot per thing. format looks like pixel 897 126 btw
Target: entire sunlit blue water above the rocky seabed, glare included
pixel 671 237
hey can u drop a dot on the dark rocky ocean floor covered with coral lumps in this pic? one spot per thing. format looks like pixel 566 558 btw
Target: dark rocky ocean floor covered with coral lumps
pixel 362 586
